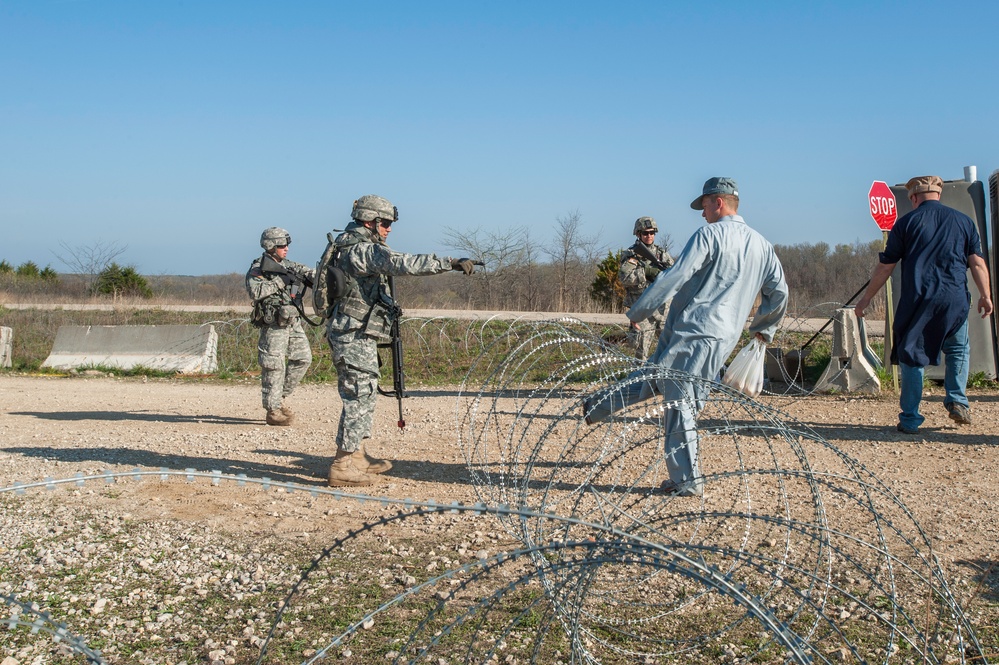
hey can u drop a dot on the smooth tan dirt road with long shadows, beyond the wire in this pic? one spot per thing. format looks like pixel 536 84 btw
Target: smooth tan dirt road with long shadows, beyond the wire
pixel 56 427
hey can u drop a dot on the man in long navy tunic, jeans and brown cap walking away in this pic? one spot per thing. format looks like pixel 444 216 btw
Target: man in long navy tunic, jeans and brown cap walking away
pixel 937 246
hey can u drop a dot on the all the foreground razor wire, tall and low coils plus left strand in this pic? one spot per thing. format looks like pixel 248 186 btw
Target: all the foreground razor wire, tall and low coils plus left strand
pixel 794 552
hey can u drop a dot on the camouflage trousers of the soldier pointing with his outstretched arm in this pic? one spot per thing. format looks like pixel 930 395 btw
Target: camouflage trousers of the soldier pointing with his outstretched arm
pixel 355 356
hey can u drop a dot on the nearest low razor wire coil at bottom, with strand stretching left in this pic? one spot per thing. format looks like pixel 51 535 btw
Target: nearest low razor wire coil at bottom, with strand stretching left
pixel 614 593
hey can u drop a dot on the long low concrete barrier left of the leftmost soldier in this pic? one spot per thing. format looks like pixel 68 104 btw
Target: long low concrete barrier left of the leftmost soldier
pixel 183 349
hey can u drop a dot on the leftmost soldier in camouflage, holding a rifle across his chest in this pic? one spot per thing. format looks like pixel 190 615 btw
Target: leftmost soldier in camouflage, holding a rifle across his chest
pixel 283 350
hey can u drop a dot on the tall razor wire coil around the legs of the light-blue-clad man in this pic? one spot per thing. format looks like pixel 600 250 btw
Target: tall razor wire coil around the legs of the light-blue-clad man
pixel 783 513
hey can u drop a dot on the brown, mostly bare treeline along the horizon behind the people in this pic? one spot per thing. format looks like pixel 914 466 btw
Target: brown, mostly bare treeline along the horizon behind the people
pixel 518 276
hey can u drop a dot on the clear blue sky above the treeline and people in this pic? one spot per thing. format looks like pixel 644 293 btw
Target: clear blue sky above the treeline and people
pixel 183 129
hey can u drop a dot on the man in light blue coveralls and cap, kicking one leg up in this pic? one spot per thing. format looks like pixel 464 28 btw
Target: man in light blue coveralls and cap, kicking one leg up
pixel 713 284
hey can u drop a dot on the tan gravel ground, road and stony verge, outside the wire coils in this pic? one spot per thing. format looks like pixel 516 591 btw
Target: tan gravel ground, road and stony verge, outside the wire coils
pixel 133 564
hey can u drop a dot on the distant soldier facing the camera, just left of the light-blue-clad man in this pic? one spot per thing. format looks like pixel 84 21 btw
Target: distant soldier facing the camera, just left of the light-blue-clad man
pixel 636 273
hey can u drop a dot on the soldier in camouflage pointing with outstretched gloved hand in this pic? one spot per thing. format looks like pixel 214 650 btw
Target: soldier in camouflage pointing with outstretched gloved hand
pixel 362 318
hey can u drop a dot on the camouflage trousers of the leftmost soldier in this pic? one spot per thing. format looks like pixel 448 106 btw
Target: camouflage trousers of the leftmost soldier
pixel 278 379
